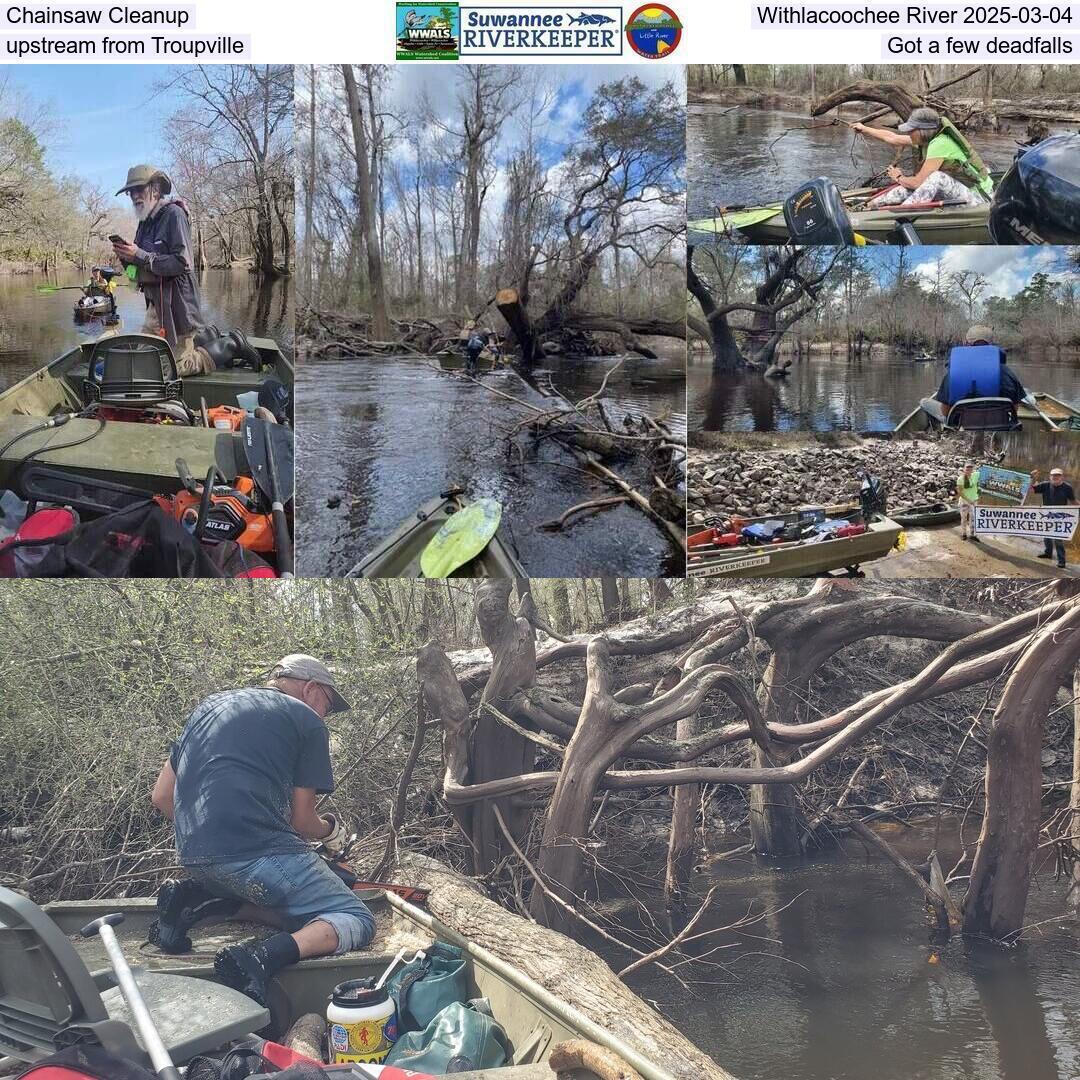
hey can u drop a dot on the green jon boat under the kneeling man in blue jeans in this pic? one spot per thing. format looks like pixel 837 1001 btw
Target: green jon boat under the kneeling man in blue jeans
pixel 534 1018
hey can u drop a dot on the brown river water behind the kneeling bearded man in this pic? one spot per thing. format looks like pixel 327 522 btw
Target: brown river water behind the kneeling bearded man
pixel 36 329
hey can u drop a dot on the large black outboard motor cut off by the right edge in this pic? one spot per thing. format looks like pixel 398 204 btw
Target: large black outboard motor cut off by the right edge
pixel 1038 200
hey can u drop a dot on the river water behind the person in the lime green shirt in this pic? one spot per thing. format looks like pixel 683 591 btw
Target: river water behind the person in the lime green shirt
pixel 730 160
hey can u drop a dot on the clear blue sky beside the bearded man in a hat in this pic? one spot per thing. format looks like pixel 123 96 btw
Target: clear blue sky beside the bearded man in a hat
pixel 110 116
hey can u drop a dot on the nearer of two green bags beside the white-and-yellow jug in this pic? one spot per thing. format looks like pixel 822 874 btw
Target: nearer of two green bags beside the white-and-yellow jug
pixel 461 1039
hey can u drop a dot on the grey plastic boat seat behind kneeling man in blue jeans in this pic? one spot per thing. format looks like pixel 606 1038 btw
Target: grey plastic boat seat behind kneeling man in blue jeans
pixel 49 998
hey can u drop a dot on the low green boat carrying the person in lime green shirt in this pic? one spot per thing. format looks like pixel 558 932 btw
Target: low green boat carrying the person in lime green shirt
pixel 941 225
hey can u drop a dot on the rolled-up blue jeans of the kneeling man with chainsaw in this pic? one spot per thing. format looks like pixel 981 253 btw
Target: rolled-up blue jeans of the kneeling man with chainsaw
pixel 300 888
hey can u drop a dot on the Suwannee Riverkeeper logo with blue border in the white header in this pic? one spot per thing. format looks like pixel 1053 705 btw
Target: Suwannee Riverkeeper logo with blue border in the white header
pixel 541 31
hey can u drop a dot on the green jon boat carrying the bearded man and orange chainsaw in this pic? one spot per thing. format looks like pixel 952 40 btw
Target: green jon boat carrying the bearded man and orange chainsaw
pixel 138 455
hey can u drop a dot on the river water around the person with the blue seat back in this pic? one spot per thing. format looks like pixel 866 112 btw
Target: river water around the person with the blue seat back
pixel 829 393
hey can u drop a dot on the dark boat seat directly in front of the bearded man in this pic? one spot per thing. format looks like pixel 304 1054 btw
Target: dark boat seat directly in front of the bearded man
pixel 137 371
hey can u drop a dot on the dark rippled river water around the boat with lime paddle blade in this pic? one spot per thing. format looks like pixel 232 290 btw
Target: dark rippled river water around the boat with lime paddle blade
pixel 385 435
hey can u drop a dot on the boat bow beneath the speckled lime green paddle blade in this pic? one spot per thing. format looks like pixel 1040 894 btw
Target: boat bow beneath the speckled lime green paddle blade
pixel 399 555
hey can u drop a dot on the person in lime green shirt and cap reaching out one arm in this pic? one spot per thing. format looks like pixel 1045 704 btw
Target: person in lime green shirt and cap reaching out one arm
pixel 950 169
